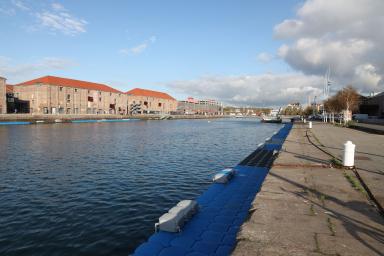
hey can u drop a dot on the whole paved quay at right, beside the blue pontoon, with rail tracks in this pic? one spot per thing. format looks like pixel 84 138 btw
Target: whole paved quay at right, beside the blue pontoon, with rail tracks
pixel 308 207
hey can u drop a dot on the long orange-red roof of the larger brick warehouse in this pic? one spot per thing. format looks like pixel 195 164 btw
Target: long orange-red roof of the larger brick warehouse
pixel 53 80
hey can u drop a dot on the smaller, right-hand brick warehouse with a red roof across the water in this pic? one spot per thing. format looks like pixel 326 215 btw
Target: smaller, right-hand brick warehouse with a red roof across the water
pixel 142 101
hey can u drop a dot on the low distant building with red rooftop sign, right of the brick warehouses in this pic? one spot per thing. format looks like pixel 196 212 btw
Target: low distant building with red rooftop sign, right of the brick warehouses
pixel 193 106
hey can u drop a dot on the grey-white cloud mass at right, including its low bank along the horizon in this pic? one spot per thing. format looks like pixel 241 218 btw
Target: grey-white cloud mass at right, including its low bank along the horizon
pixel 345 36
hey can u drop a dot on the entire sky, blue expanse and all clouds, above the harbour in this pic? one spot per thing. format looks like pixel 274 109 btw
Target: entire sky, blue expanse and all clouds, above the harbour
pixel 244 53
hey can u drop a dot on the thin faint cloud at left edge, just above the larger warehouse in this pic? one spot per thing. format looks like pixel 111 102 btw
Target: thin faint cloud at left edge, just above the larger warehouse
pixel 16 72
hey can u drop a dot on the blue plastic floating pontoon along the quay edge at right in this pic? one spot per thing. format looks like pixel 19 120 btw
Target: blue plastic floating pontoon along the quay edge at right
pixel 222 209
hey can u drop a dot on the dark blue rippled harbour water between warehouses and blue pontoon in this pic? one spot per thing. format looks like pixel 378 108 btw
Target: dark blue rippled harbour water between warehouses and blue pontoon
pixel 98 188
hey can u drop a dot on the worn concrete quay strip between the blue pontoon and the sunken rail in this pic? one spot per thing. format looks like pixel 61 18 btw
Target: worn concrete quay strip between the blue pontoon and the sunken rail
pixel 305 207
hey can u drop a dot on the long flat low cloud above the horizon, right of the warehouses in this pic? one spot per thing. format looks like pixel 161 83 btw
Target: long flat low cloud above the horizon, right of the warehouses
pixel 255 90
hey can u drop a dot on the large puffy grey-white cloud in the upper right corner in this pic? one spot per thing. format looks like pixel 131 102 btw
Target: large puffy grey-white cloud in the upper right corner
pixel 343 35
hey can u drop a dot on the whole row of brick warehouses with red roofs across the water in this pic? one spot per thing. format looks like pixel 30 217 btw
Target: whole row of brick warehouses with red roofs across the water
pixel 56 95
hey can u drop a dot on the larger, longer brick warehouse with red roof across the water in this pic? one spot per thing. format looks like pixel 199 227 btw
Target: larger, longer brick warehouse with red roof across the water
pixel 55 95
